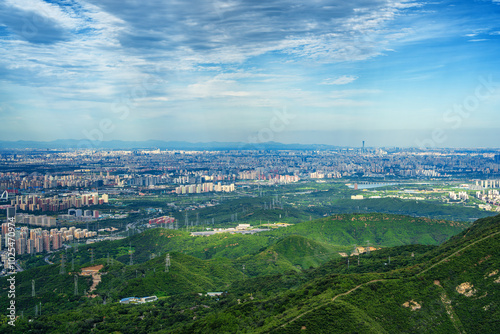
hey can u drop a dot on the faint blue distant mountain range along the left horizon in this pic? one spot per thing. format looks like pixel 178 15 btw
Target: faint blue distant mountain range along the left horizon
pixel 157 144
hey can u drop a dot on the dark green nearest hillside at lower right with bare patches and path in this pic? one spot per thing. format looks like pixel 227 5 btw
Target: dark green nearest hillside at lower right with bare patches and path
pixel 456 290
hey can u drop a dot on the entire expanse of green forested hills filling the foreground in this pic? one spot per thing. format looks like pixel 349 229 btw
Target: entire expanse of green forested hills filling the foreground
pixel 450 288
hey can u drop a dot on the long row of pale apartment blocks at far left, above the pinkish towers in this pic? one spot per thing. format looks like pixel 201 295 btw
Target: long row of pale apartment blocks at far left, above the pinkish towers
pixel 56 203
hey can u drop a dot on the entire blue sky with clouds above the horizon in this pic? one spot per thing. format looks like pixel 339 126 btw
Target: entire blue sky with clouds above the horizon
pixel 393 73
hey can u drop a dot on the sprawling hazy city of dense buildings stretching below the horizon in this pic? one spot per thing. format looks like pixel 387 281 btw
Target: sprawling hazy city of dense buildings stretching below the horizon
pixel 160 169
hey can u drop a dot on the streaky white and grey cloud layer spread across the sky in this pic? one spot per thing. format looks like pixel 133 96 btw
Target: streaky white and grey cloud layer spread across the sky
pixel 196 63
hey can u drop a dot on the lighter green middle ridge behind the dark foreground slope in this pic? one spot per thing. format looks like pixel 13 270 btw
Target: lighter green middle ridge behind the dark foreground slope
pixel 339 230
